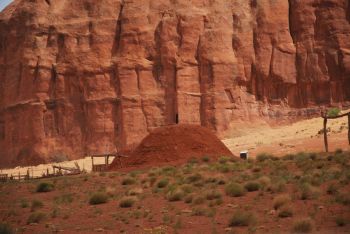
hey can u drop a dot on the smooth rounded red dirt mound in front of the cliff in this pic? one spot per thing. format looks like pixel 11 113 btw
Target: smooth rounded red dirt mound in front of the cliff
pixel 176 143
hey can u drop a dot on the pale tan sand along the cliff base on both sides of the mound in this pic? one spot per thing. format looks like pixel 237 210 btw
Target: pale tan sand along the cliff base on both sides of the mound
pixel 280 140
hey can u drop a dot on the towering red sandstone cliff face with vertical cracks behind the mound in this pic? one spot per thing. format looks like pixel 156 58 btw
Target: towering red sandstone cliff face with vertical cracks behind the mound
pixel 87 76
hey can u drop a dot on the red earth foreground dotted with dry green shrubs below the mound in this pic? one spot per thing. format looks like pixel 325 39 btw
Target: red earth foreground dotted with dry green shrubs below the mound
pixel 192 190
